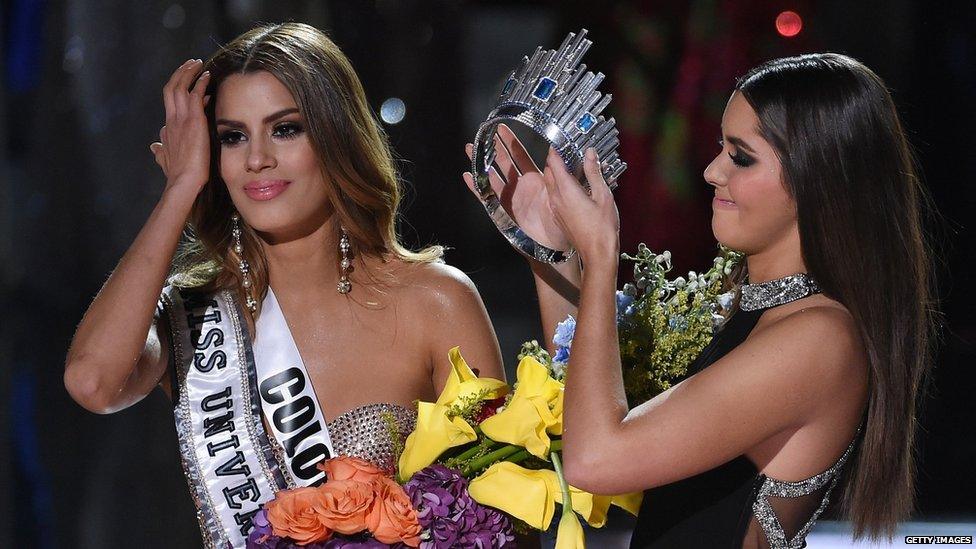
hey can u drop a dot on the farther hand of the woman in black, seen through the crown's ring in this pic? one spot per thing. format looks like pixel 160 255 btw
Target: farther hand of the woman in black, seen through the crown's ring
pixel 525 196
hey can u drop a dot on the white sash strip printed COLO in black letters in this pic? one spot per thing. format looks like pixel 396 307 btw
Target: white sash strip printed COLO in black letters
pixel 287 396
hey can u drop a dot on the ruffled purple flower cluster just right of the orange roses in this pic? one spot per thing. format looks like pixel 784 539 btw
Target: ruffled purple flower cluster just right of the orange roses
pixel 450 517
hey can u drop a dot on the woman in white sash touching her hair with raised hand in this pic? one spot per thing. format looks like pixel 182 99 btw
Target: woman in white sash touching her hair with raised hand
pixel 293 325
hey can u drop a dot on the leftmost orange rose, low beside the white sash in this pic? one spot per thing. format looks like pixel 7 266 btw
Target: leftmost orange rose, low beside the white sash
pixel 294 514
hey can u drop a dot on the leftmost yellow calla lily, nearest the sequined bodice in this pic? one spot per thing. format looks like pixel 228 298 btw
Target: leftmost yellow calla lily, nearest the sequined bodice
pixel 435 431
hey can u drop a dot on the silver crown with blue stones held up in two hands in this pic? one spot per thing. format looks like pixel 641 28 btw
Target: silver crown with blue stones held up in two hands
pixel 556 97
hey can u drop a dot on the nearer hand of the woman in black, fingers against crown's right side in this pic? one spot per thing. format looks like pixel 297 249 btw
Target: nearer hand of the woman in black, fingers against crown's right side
pixel 590 221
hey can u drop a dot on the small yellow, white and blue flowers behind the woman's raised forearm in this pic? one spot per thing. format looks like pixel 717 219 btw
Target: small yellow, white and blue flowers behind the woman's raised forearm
pixel 662 324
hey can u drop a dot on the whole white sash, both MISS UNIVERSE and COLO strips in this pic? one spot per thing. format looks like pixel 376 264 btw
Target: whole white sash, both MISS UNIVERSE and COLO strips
pixel 231 464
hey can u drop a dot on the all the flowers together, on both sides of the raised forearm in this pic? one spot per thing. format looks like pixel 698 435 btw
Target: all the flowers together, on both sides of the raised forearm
pixel 483 441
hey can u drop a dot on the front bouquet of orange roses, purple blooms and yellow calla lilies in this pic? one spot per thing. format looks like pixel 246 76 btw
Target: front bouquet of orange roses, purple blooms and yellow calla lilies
pixel 481 442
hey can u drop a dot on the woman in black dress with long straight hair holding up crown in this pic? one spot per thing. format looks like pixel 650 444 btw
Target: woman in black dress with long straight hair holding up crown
pixel 809 391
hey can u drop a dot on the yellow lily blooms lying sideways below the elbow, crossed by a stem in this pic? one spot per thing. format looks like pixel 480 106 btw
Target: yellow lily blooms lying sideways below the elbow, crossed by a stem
pixel 538 492
